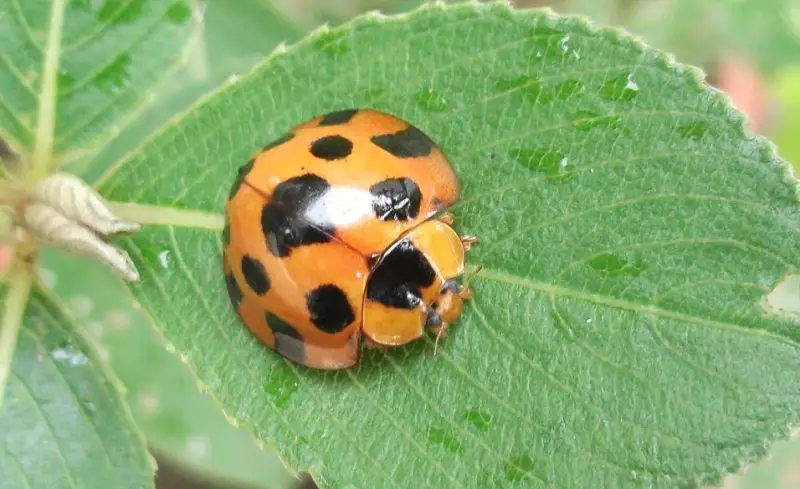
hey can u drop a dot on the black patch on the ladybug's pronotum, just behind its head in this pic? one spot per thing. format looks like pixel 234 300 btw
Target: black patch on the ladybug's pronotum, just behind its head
pixel 398 278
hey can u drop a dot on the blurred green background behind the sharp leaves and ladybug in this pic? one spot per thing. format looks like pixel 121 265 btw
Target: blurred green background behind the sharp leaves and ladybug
pixel 750 48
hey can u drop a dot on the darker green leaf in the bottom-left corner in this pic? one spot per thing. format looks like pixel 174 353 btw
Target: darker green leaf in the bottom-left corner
pixel 63 423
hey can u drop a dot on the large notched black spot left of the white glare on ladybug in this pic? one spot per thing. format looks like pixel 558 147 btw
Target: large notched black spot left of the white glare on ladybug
pixel 281 218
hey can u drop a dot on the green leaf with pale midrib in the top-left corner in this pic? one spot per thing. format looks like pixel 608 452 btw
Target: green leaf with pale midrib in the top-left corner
pixel 73 71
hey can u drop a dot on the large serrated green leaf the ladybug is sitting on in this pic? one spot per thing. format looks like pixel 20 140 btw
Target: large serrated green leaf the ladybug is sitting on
pixel 616 337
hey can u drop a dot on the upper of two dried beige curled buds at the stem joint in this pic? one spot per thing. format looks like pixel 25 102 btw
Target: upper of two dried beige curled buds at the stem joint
pixel 79 202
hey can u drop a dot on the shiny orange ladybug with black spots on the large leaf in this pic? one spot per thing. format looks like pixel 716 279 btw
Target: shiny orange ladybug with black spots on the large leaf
pixel 337 233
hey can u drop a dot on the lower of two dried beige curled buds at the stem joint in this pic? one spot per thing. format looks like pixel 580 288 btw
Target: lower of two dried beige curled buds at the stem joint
pixel 49 225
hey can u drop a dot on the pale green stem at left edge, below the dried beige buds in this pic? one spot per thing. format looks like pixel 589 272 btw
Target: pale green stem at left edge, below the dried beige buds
pixel 18 290
